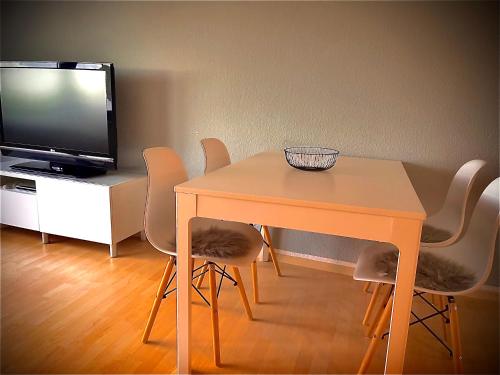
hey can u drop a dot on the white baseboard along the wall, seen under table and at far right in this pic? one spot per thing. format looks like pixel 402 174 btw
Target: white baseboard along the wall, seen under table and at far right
pixel 347 268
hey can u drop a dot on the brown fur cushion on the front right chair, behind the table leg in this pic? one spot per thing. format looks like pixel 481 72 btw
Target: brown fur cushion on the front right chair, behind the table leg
pixel 433 272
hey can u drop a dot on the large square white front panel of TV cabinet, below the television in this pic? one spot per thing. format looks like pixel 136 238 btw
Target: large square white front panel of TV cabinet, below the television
pixel 74 209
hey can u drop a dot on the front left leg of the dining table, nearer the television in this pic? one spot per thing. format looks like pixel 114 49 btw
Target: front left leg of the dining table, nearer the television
pixel 186 209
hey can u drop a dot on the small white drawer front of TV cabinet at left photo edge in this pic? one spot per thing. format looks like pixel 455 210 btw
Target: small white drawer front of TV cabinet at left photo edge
pixel 19 209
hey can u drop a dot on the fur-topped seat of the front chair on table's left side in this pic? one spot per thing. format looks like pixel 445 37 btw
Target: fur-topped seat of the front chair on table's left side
pixel 236 244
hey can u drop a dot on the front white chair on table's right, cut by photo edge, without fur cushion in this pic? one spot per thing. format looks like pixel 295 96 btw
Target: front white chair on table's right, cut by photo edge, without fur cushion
pixel 474 251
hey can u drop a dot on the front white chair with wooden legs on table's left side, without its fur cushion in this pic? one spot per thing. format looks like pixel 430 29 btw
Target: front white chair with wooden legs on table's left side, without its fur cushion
pixel 165 170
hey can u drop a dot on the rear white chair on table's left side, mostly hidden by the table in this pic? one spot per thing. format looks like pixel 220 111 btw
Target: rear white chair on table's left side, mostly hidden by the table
pixel 217 156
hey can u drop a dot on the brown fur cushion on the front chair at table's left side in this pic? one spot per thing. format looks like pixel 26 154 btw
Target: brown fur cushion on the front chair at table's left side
pixel 218 243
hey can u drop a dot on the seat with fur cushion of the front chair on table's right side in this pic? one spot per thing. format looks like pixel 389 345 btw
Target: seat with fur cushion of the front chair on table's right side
pixel 455 281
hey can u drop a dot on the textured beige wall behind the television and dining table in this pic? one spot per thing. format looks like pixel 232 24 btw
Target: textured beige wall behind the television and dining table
pixel 411 81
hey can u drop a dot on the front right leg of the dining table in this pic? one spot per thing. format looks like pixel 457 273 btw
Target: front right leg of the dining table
pixel 407 238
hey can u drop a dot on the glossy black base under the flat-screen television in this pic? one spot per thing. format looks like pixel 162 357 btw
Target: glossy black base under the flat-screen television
pixel 58 169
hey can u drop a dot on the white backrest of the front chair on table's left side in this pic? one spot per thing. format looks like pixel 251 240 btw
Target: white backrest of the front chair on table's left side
pixel 165 170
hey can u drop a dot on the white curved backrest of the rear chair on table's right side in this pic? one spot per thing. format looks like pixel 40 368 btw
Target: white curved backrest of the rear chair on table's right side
pixel 451 216
